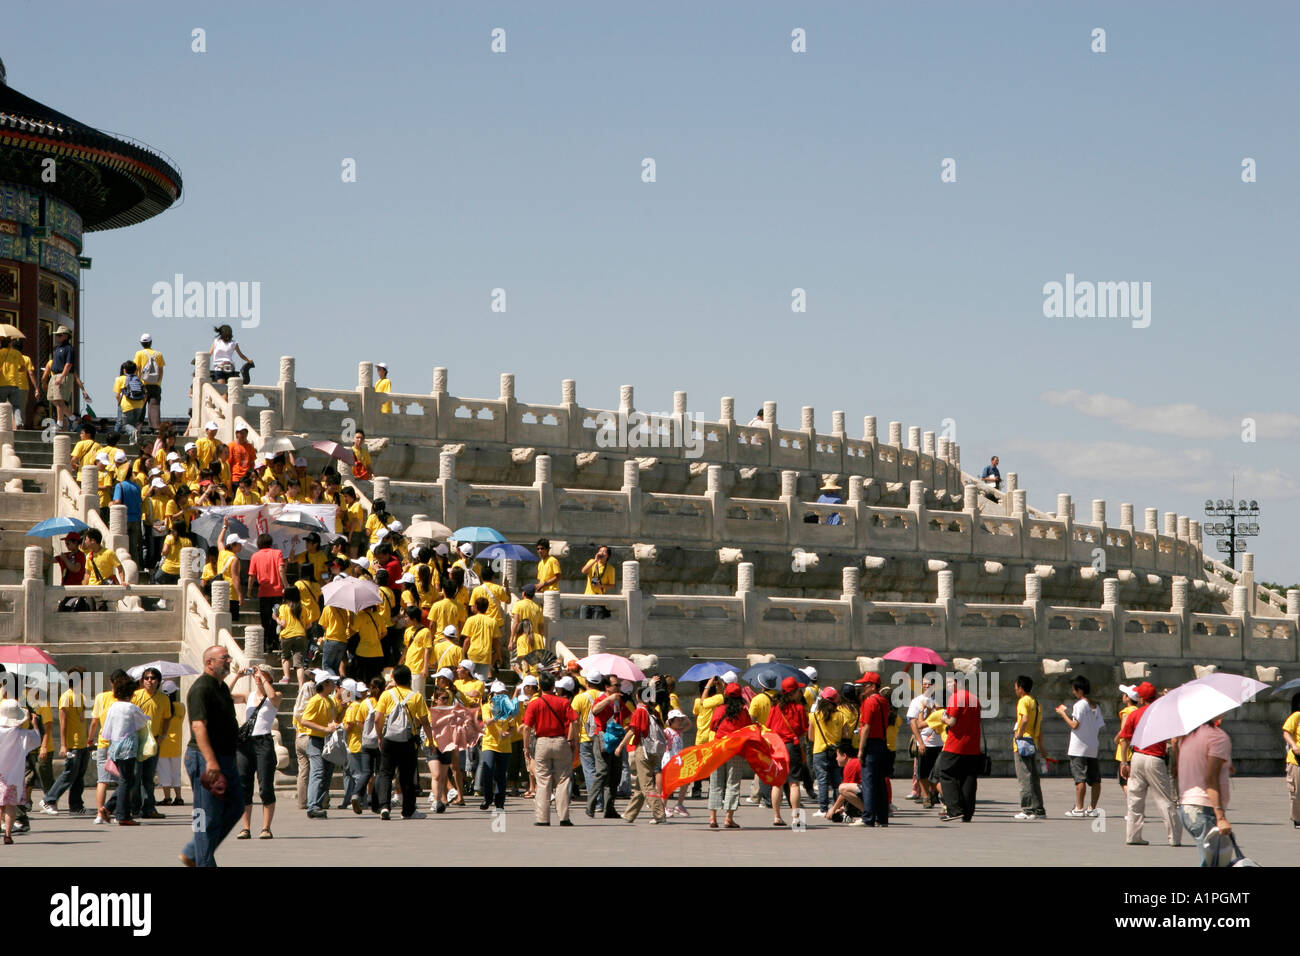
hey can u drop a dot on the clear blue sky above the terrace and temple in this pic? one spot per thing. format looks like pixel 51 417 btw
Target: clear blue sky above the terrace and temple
pixel 775 171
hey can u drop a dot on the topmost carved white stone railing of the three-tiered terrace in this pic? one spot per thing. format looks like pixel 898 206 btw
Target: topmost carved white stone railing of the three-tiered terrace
pixel 441 418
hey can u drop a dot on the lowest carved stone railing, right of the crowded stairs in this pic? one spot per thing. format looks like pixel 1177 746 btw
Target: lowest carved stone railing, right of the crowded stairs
pixel 749 621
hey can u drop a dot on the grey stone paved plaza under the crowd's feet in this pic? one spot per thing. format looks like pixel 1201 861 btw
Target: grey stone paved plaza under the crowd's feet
pixel 916 840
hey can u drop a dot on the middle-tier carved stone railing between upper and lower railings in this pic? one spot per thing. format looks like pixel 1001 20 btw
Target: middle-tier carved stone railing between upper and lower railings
pixel 714 520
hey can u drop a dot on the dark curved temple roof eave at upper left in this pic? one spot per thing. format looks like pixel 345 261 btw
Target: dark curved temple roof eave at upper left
pixel 110 181
